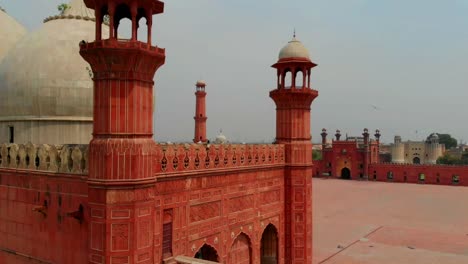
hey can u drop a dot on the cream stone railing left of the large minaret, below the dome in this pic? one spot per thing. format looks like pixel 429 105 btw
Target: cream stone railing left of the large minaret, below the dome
pixel 61 158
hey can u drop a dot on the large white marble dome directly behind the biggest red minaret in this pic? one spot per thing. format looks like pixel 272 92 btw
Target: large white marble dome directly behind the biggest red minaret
pixel 44 82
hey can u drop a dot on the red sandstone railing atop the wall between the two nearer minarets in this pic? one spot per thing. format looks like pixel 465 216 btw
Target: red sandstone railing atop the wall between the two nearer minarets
pixel 185 157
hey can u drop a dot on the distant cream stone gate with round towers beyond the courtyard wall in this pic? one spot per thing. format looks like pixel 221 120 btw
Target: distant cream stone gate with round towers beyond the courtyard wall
pixel 417 152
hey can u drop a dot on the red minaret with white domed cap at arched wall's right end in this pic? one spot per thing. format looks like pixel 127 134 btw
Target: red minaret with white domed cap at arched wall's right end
pixel 293 102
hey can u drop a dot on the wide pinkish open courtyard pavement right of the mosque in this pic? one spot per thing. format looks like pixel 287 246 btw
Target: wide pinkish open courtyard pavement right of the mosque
pixel 377 222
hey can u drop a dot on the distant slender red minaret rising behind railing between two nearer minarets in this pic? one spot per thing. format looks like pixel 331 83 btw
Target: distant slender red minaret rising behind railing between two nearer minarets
pixel 200 113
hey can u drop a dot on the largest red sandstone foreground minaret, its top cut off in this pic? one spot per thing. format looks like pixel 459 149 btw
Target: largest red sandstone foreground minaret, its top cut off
pixel 121 197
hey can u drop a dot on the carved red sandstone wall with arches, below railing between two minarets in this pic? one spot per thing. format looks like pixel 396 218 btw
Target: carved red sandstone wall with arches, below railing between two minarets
pixel 216 209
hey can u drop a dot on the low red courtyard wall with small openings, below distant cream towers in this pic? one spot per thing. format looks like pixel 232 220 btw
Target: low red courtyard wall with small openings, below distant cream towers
pixel 443 173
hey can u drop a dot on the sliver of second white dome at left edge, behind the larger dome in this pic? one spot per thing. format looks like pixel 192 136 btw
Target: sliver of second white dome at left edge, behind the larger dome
pixel 10 33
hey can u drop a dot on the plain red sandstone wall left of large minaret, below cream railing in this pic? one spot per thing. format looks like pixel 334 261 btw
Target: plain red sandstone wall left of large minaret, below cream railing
pixel 55 238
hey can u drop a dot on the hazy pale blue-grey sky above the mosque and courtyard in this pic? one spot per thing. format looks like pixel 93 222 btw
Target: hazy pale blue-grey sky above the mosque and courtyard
pixel 408 58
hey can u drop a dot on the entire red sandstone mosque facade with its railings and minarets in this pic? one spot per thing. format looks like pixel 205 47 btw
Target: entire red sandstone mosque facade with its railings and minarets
pixel 126 199
